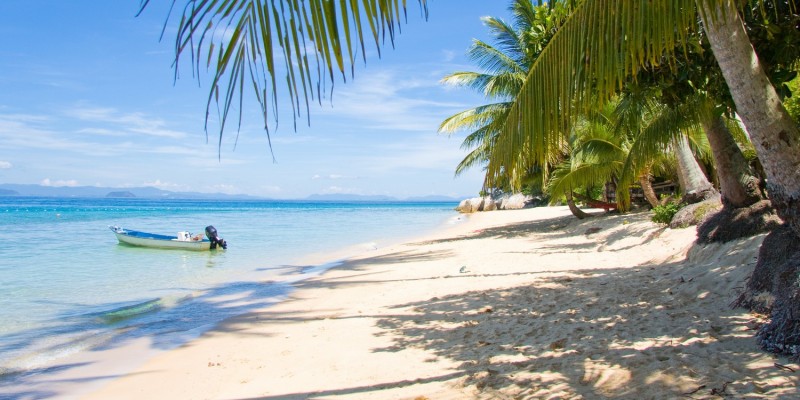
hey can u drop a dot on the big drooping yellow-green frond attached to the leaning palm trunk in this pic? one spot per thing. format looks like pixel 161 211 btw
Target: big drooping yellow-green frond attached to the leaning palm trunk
pixel 588 60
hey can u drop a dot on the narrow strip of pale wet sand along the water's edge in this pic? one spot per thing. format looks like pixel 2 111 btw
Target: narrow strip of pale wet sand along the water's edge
pixel 82 371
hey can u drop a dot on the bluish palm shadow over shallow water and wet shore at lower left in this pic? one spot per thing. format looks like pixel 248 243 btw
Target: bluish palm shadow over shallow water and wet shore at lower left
pixel 165 326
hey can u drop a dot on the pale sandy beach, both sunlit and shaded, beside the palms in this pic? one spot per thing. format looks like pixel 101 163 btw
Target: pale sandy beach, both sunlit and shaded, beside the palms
pixel 526 304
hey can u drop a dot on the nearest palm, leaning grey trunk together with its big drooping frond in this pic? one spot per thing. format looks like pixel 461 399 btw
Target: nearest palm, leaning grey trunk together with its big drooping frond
pixel 605 42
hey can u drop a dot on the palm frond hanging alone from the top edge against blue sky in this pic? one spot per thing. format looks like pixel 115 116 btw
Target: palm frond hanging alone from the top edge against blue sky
pixel 299 45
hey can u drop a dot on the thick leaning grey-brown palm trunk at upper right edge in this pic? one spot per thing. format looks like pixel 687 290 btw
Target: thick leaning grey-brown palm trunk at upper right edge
pixel 774 134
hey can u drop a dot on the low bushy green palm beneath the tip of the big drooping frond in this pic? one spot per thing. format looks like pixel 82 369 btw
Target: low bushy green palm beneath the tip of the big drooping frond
pixel 628 140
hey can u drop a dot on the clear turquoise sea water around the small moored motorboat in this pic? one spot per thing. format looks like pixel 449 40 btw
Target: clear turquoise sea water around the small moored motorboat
pixel 67 285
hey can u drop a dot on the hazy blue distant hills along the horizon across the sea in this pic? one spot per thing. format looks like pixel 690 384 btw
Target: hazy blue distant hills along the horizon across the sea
pixel 9 189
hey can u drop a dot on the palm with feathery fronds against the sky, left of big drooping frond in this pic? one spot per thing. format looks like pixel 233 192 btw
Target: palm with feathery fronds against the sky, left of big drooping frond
pixel 505 67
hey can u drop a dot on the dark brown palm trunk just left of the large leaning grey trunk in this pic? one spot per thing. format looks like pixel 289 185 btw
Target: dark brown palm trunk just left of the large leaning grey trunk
pixel 737 185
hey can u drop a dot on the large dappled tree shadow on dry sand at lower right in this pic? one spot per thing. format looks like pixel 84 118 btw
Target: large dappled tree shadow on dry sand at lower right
pixel 592 335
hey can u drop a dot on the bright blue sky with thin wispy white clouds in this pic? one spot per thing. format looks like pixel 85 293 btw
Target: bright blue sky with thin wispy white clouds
pixel 87 98
